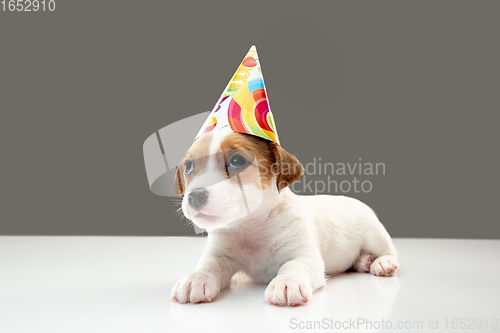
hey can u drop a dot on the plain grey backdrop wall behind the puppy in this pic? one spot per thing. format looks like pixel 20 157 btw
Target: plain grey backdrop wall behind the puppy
pixel 411 84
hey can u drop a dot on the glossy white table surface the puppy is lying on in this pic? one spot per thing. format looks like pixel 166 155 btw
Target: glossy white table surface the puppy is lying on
pixel 123 284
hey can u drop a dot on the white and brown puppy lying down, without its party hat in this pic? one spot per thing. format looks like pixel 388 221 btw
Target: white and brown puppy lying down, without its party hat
pixel 235 187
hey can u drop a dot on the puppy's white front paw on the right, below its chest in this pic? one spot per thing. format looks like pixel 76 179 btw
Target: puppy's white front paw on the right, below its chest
pixel 288 290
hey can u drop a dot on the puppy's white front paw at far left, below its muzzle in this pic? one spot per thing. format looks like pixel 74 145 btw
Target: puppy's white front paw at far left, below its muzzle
pixel 195 288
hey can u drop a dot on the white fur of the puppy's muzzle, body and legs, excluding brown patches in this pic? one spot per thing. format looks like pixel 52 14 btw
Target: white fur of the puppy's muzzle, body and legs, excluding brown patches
pixel 285 240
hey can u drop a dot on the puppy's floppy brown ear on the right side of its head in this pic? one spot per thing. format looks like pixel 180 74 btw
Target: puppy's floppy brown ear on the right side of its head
pixel 287 167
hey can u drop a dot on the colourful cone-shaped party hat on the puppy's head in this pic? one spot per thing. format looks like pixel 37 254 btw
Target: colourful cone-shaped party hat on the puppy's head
pixel 243 106
